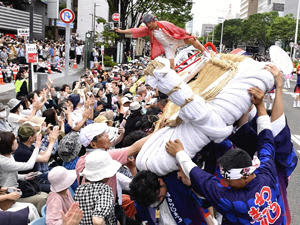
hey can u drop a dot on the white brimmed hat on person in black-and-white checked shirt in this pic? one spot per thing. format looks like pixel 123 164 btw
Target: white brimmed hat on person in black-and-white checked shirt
pixel 99 165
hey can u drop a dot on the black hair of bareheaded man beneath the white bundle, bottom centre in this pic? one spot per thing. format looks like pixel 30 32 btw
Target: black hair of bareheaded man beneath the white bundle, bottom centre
pixel 145 188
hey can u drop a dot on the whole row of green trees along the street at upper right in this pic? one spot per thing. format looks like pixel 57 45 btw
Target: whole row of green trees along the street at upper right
pixel 258 30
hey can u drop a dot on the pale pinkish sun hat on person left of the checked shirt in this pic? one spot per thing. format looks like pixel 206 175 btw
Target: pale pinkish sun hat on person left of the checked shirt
pixel 60 178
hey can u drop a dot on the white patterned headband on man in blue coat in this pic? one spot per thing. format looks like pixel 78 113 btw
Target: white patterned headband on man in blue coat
pixel 234 174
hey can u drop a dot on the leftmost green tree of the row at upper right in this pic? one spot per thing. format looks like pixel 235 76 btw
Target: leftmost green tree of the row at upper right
pixel 232 32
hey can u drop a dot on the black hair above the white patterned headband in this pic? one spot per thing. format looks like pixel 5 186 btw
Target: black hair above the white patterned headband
pixel 235 158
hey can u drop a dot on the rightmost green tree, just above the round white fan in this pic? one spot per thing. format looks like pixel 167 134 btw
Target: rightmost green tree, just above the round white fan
pixel 282 28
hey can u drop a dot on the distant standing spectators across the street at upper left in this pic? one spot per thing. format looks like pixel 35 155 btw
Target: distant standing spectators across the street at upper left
pixel 51 56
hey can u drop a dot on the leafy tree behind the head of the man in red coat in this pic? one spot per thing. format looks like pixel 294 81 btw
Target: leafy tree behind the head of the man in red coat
pixel 177 12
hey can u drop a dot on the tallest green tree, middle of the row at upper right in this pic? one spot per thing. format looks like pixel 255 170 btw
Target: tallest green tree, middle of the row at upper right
pixel 255 28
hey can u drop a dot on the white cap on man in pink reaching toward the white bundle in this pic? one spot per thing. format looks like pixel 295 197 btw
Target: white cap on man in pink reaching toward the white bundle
pixel 90 131
